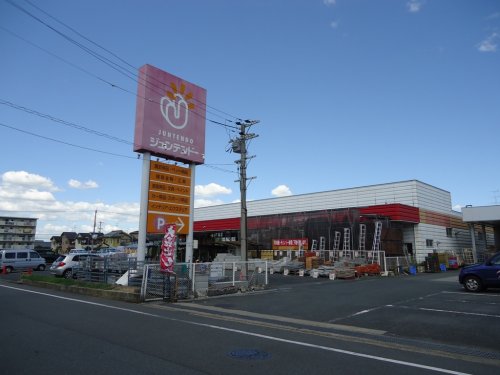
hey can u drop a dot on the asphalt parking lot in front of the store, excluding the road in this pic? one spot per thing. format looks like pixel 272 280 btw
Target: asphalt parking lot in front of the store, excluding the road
pixel 431 311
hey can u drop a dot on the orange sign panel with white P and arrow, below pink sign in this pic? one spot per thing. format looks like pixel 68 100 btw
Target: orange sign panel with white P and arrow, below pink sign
pixel 169 198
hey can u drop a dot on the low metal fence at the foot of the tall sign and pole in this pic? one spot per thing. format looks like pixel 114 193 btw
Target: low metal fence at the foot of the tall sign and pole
pixel 191 280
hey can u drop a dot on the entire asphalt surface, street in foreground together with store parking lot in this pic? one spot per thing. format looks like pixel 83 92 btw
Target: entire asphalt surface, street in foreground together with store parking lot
pixel 412 325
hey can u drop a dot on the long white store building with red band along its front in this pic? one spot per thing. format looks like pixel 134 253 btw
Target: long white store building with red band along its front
pixel 415 218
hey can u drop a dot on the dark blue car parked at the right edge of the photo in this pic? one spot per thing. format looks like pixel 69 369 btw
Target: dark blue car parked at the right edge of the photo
pixel 478 277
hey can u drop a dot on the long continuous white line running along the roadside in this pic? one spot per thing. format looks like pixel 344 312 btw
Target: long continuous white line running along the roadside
pixel 272 338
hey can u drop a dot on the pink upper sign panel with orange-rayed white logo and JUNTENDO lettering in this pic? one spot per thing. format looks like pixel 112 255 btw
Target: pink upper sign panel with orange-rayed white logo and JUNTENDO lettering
pixel 170 117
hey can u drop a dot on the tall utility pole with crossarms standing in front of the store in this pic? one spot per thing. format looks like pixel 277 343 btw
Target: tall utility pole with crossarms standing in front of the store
pixel 240 146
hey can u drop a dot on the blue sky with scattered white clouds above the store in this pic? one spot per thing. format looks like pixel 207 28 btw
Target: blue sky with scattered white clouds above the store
pixel 348 93
